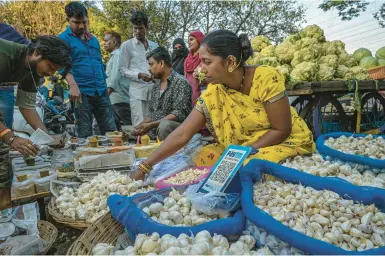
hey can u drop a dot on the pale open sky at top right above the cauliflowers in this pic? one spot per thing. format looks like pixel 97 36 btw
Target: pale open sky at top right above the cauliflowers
pixel 363 31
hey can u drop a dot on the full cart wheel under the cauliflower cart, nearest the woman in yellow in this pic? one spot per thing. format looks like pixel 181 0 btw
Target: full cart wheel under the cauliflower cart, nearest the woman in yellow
pixel 325 114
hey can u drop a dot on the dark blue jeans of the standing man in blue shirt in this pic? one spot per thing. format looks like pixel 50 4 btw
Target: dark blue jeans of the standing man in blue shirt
pixel 98 106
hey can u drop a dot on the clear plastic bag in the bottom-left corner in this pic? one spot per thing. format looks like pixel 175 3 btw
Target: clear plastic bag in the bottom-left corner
pixel 23 245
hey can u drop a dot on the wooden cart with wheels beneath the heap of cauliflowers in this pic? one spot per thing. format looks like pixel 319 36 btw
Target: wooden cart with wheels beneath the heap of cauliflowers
pixel 320 104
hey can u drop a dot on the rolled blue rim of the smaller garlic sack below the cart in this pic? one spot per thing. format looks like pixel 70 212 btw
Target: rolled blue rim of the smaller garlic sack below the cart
pixel 325 150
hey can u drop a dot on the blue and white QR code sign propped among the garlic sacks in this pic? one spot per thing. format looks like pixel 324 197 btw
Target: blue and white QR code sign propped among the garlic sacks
pixel 224 176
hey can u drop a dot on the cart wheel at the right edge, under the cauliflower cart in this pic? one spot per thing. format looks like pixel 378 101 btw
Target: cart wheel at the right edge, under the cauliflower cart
pixel 373 111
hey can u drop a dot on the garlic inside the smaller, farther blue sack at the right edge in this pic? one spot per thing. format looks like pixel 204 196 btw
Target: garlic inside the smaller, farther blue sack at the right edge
pixel 366 146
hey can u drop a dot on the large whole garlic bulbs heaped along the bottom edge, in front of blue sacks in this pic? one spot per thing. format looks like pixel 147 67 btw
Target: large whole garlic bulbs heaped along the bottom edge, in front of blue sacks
pixel 202 244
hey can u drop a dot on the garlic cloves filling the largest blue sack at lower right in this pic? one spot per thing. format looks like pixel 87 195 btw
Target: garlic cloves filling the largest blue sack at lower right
pixel 323 215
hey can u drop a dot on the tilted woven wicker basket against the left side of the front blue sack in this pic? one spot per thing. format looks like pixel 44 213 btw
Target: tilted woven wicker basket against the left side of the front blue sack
pixel 104 230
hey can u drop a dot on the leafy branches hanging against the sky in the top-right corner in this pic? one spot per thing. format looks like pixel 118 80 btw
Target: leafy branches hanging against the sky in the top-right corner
pixel 350 9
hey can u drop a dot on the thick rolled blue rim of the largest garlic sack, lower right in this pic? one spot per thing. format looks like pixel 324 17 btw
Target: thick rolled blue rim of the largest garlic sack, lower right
pixel 252 173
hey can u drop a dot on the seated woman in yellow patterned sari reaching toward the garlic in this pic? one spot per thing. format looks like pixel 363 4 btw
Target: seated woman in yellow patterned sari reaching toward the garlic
pixel 243 105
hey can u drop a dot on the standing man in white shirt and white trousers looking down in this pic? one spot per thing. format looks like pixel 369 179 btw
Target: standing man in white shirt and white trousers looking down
pixel 134 66
